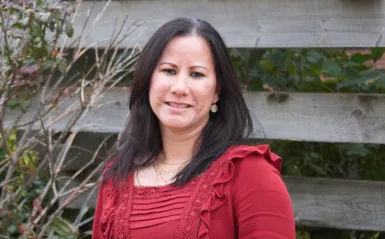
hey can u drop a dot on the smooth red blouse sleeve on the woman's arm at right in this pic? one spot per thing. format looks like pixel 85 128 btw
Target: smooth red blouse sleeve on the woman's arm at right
pixel 262 204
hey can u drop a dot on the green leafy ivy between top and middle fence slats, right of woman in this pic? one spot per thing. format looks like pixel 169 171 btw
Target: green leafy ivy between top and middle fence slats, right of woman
pixel 309 70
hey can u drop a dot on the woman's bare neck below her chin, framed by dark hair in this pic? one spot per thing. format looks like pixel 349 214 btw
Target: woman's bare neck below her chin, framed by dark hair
pixel 179 147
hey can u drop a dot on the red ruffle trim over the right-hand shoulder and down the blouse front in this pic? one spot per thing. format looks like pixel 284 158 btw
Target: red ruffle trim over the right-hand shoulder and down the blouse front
pixel 218 195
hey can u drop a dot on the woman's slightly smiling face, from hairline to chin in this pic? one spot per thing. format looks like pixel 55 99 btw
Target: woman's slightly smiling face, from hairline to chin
pixel 183 84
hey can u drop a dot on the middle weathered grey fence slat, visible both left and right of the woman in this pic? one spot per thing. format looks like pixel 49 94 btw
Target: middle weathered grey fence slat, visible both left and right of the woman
pixel 356 118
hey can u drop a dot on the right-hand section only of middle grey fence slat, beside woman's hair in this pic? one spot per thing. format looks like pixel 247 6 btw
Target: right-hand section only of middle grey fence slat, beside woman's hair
pixel 319 117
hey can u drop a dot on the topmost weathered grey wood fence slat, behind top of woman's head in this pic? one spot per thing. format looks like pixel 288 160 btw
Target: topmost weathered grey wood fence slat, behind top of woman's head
pixel 250 23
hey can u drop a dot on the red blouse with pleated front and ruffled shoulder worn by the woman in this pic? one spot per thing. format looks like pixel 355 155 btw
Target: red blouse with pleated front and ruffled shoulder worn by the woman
pixel 240 196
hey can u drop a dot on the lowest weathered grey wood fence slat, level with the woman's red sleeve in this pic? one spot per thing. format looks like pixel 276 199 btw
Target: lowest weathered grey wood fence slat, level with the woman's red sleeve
pixel 328 203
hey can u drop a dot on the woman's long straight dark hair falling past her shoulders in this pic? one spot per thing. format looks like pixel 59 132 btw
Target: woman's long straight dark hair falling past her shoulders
pixel 141 141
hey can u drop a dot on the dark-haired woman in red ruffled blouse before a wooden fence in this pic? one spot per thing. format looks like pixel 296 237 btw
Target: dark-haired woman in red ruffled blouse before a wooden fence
pixel 181 170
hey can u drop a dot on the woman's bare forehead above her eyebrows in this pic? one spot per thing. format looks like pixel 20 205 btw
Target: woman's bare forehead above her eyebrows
pixel 191 48
